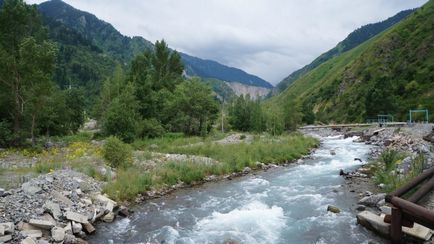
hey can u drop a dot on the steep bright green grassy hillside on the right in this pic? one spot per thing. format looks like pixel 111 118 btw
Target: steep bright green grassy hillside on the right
pixel 389 74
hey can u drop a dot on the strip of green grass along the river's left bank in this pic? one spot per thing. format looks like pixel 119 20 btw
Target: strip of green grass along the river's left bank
pixel 231 157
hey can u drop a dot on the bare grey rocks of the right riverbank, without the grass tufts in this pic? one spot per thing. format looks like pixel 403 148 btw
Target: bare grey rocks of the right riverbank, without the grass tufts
pixel 411 141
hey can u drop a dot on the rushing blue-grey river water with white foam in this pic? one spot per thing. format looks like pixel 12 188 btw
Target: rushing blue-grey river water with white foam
pixel 283 205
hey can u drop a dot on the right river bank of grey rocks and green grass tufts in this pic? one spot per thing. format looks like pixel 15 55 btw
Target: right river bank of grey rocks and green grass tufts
pixel 410 150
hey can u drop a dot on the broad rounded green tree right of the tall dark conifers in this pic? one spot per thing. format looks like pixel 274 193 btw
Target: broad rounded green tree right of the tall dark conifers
pixel 193 108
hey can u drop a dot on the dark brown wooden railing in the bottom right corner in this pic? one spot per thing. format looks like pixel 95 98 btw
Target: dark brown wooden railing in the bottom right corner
pixel 407 212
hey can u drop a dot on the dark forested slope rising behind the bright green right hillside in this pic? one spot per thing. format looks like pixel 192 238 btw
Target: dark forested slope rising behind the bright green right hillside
pixel 354 39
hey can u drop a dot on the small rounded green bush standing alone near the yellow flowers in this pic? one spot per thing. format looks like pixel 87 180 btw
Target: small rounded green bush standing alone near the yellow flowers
pixel 116 153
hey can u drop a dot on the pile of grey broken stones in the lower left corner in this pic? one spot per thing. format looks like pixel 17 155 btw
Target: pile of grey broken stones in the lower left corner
pixel 60 207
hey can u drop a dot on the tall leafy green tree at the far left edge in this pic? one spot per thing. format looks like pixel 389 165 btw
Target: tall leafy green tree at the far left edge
pixel 26 63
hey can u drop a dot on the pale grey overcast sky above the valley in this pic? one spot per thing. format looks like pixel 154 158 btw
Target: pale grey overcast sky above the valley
pixel 268 38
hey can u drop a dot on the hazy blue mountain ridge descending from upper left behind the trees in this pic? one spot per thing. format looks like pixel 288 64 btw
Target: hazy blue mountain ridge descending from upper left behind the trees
pixel 125 48
